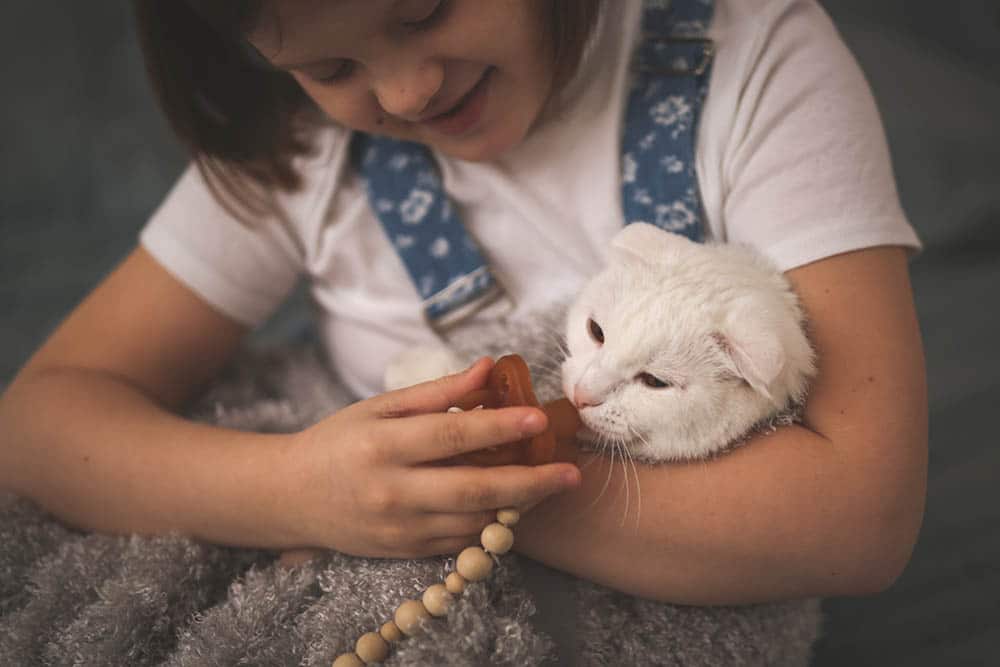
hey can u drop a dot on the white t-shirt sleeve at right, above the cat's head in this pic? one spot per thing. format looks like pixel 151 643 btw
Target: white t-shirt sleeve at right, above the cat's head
pixel 808 170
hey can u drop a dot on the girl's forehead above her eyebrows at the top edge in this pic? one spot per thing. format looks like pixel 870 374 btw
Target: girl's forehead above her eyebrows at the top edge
pixel 292 29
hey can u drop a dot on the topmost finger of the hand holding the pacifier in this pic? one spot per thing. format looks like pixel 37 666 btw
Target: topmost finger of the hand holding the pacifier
pixel 434 396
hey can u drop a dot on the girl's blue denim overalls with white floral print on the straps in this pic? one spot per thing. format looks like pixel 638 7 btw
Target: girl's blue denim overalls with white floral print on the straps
pixel 670 72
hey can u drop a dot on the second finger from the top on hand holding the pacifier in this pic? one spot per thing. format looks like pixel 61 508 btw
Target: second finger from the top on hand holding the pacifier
pixel 435 437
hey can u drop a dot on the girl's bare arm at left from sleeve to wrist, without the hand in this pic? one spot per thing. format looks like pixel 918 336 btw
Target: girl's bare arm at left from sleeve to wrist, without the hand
pixel 85 425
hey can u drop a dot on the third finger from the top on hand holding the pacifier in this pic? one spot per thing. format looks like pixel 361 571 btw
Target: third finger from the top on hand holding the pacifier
pixel 476 489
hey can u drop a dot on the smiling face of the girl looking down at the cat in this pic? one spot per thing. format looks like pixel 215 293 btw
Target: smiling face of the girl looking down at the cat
pixel 468 77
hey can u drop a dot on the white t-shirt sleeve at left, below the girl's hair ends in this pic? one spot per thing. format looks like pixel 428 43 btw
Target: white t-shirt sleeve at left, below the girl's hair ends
pixel 243 271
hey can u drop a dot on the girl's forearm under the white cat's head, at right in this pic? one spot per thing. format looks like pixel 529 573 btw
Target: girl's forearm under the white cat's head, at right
pixel 787 516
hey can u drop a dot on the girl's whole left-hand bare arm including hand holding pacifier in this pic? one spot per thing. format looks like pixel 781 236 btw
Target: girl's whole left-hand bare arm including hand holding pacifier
pixel 87 430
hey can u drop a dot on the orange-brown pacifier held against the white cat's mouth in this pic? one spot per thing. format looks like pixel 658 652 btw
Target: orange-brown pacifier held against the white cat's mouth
pixel 509 385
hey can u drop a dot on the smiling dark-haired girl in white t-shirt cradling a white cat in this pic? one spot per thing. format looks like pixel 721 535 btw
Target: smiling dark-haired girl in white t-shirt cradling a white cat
pixel 520 104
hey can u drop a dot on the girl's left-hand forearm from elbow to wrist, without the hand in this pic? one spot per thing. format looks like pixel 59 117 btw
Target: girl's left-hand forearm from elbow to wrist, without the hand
pixel 99 454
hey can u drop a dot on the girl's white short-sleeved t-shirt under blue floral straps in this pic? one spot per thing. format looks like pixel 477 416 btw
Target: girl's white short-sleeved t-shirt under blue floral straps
pixel 791 159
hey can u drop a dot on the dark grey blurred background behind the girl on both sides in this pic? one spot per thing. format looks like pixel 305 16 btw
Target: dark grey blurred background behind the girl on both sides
pixel 86 157
